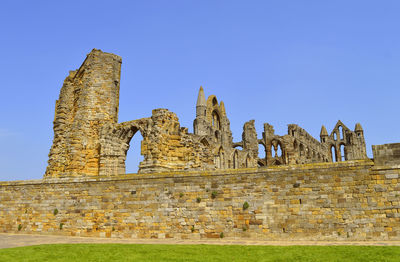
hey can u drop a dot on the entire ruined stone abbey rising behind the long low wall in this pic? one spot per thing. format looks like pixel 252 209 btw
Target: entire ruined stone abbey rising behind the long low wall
pixel 88 140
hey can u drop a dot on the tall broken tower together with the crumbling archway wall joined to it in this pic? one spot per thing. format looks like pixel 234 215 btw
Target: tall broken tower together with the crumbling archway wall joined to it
pixel 88 140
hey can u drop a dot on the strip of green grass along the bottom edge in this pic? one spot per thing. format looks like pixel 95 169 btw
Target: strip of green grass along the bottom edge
pixel 125 252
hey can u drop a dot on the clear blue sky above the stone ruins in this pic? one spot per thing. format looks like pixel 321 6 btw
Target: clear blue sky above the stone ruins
pixel 307 62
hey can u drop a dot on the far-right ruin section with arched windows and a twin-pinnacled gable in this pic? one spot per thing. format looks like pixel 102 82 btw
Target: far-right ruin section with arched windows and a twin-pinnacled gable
pixel 299 147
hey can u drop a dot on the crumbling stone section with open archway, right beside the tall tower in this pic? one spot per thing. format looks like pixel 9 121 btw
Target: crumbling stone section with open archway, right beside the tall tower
pixel 165 146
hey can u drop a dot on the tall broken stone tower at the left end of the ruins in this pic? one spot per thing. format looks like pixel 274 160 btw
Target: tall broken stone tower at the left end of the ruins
pixel 88 99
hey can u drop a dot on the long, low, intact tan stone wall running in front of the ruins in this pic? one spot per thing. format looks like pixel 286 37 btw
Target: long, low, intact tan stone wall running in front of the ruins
pixel 352 200
